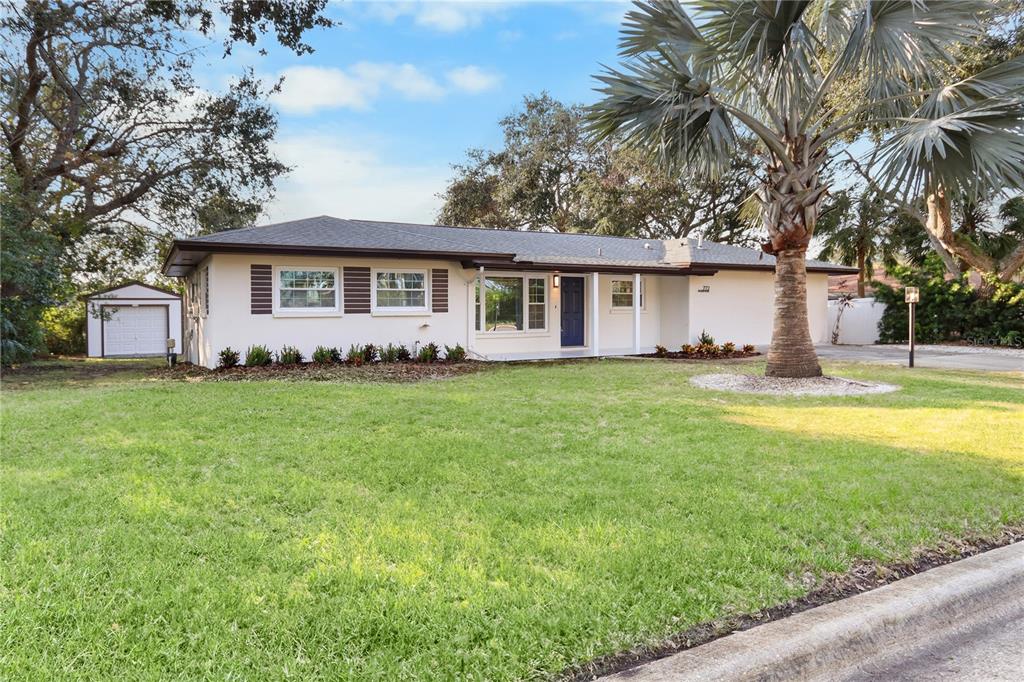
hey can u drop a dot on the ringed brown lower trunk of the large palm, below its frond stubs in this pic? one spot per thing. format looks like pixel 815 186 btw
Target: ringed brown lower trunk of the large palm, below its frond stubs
pixel 792 353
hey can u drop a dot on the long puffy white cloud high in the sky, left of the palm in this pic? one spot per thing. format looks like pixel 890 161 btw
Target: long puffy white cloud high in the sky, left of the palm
pixel 310 90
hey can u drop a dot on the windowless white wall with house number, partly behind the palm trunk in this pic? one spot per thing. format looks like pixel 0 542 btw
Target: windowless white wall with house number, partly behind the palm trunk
pixel 739 307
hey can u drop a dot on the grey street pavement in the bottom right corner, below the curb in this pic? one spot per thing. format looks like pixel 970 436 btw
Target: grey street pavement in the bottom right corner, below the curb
pixel 992 653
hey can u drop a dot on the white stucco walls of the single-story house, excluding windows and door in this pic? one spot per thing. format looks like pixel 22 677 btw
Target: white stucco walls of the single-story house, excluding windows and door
pixel 738 308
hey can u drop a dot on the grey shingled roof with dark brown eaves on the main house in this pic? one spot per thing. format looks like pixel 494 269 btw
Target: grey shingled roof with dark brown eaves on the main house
pixel 477 246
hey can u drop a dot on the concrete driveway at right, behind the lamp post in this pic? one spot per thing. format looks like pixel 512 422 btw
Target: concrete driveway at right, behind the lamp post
pixel 941 358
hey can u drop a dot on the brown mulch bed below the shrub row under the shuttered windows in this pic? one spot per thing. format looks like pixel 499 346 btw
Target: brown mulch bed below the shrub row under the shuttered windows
pixel 375 373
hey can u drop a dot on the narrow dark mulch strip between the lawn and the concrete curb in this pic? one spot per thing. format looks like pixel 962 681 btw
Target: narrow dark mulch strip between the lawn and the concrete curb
pixel 864 577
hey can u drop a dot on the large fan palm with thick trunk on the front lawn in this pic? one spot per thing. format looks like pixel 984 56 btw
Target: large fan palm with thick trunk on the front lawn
pixel 779 71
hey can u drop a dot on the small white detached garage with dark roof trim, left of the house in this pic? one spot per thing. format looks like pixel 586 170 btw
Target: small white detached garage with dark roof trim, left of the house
pixel 133 320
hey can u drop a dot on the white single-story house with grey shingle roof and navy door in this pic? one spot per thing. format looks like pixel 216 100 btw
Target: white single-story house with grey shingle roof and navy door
pixel 500 294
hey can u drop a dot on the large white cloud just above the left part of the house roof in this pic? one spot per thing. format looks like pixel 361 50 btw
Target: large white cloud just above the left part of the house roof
pixel 338 178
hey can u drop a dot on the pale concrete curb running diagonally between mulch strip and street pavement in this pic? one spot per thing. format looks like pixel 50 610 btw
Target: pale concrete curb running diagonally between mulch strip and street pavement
pixel 836 638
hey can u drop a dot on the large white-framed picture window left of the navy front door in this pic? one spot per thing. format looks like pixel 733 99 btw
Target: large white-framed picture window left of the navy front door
pixel 514 304
